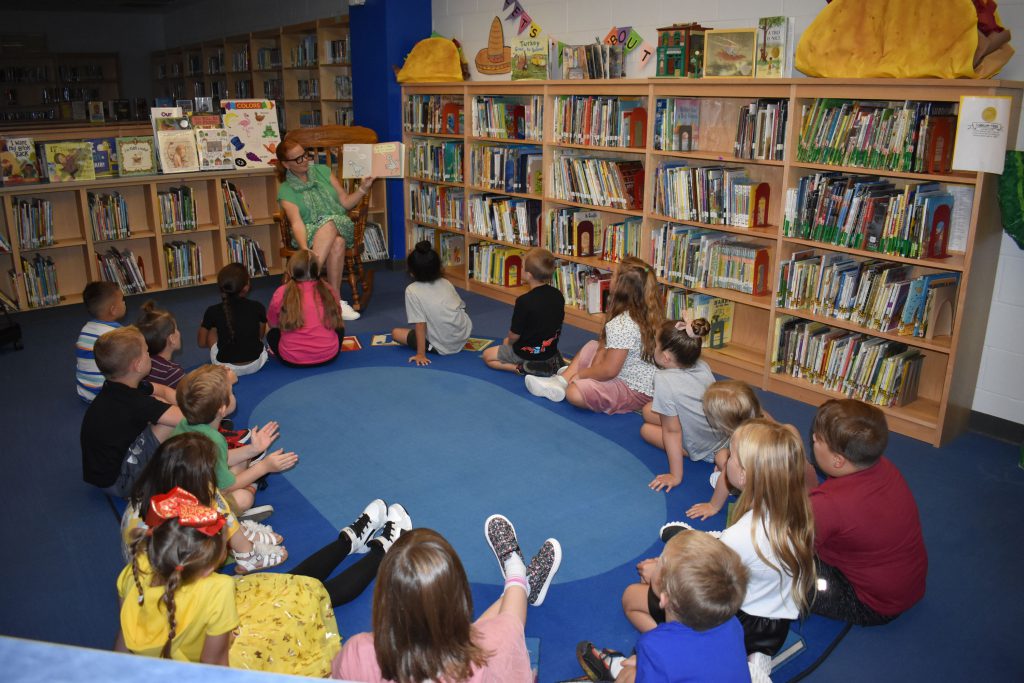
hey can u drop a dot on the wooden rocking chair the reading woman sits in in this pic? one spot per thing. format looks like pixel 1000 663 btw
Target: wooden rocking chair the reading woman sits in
pixel 327 143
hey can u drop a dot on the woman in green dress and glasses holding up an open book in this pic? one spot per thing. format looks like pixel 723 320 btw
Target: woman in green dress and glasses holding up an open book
pixel 313 199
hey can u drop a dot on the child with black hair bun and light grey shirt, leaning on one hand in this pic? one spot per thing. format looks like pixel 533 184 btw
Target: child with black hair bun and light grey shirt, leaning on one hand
pixel 434 308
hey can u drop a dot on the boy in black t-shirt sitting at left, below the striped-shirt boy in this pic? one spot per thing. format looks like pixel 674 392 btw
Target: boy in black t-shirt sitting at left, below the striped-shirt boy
pixel 129 419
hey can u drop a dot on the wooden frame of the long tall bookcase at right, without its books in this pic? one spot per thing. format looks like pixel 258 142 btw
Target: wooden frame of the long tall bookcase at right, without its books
pixel 949 365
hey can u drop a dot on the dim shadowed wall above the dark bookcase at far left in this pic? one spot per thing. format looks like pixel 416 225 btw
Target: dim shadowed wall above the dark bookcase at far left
pixel 133 36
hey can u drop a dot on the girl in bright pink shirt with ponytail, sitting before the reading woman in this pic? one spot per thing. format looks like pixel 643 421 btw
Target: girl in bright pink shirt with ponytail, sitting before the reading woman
pixel 305 316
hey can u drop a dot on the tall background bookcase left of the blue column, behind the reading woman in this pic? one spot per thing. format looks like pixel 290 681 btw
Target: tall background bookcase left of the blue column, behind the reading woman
pixel 306 68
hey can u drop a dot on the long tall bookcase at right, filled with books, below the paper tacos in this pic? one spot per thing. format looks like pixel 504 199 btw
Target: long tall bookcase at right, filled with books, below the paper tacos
pixel 817 224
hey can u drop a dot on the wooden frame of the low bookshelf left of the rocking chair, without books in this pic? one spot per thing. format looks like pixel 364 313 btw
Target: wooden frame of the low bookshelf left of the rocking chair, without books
pixel 75 247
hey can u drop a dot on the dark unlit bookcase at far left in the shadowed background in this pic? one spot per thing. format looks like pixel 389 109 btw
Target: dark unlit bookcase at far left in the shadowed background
pixel 36 87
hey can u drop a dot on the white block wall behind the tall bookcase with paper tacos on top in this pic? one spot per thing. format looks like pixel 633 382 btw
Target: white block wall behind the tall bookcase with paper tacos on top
pixel 1001 386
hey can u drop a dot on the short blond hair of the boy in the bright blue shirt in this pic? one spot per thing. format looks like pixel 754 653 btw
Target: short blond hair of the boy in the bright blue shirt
pixel 705 580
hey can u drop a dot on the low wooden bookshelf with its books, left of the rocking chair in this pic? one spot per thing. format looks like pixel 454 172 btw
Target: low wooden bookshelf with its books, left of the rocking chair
pixel 147 233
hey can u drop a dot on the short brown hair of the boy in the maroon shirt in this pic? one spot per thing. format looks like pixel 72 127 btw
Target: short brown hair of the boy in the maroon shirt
pixel 854 430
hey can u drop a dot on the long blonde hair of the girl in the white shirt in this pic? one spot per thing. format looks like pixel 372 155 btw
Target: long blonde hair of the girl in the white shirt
pixel 774 461
